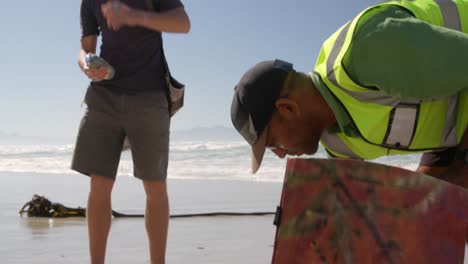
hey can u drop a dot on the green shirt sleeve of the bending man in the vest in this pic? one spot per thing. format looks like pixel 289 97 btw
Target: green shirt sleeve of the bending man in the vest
pixel 405 57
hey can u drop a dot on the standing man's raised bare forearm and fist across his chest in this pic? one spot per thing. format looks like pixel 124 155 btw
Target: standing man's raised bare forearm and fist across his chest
pixel 118 14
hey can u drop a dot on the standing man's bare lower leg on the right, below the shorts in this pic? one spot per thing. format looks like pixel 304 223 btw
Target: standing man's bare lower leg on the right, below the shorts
pixel 156 219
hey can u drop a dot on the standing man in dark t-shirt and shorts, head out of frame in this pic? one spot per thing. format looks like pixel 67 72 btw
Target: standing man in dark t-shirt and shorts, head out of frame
pixel 131 104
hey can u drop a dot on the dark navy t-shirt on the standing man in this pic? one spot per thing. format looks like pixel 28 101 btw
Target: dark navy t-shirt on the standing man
pixel 134 52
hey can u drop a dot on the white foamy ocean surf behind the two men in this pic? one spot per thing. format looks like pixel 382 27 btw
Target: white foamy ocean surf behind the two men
pixel 187 160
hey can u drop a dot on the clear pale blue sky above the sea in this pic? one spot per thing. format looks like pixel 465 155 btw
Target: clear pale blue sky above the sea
pixel 42 87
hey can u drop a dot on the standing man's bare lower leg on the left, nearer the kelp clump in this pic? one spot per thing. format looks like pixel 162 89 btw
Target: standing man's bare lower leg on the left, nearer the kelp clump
pixel 98 215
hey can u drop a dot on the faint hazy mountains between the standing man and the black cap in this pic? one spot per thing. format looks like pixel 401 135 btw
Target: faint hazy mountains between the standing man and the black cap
pixel 207 134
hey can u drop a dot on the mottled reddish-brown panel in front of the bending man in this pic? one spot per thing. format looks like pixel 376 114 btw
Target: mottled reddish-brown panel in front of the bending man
pixel 347 211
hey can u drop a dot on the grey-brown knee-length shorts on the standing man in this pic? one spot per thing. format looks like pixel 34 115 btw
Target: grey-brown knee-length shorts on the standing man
pixel 143 118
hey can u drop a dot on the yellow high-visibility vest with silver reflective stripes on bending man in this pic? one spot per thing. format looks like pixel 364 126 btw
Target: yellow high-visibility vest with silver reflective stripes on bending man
pixel 390 125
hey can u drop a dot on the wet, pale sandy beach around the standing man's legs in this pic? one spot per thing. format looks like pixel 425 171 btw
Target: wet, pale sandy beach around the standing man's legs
pixel 191 240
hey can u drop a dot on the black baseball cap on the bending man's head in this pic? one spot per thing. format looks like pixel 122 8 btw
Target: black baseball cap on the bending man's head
pixel 254 103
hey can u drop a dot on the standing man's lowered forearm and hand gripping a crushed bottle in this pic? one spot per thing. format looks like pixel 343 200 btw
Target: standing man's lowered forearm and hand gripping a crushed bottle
pixel 88 45
